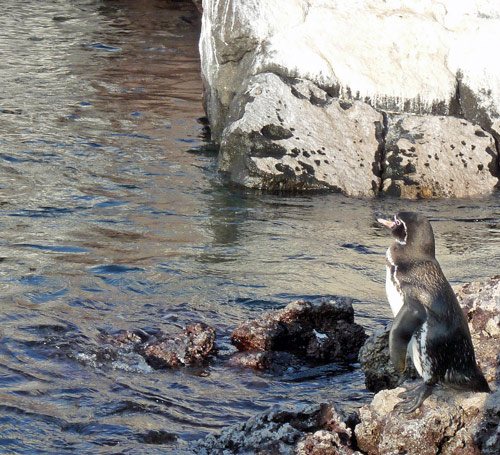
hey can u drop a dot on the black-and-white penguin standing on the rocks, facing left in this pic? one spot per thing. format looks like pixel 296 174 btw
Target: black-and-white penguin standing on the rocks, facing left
pixel 429 322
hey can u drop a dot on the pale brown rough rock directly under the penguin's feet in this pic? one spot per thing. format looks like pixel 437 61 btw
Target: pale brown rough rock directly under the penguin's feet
pixel 448 423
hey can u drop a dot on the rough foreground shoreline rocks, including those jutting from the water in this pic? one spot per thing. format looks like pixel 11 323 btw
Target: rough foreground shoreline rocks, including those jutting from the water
pixel 304 335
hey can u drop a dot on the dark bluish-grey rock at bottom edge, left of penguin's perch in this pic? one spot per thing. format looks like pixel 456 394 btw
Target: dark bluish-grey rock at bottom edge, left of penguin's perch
pixel 315 429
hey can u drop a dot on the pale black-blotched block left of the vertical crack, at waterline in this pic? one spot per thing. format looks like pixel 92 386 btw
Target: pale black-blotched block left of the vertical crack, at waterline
pixel 291 135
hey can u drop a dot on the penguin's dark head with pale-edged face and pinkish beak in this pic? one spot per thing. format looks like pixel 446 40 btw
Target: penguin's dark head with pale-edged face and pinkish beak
pixel 413 232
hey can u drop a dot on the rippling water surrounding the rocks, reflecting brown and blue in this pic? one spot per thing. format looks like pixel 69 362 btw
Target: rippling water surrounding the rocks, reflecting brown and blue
pixel 113 217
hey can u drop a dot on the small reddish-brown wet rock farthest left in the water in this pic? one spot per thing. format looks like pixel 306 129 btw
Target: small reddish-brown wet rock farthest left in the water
pixel 191 345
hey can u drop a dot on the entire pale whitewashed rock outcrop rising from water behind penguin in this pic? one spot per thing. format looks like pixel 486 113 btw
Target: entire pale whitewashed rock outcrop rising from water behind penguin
pixel 368 91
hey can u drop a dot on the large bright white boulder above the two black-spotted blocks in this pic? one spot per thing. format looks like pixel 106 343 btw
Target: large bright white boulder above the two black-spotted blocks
pixel 414 56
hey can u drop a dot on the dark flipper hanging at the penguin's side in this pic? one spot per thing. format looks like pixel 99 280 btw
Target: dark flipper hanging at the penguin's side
pixel 409 319
